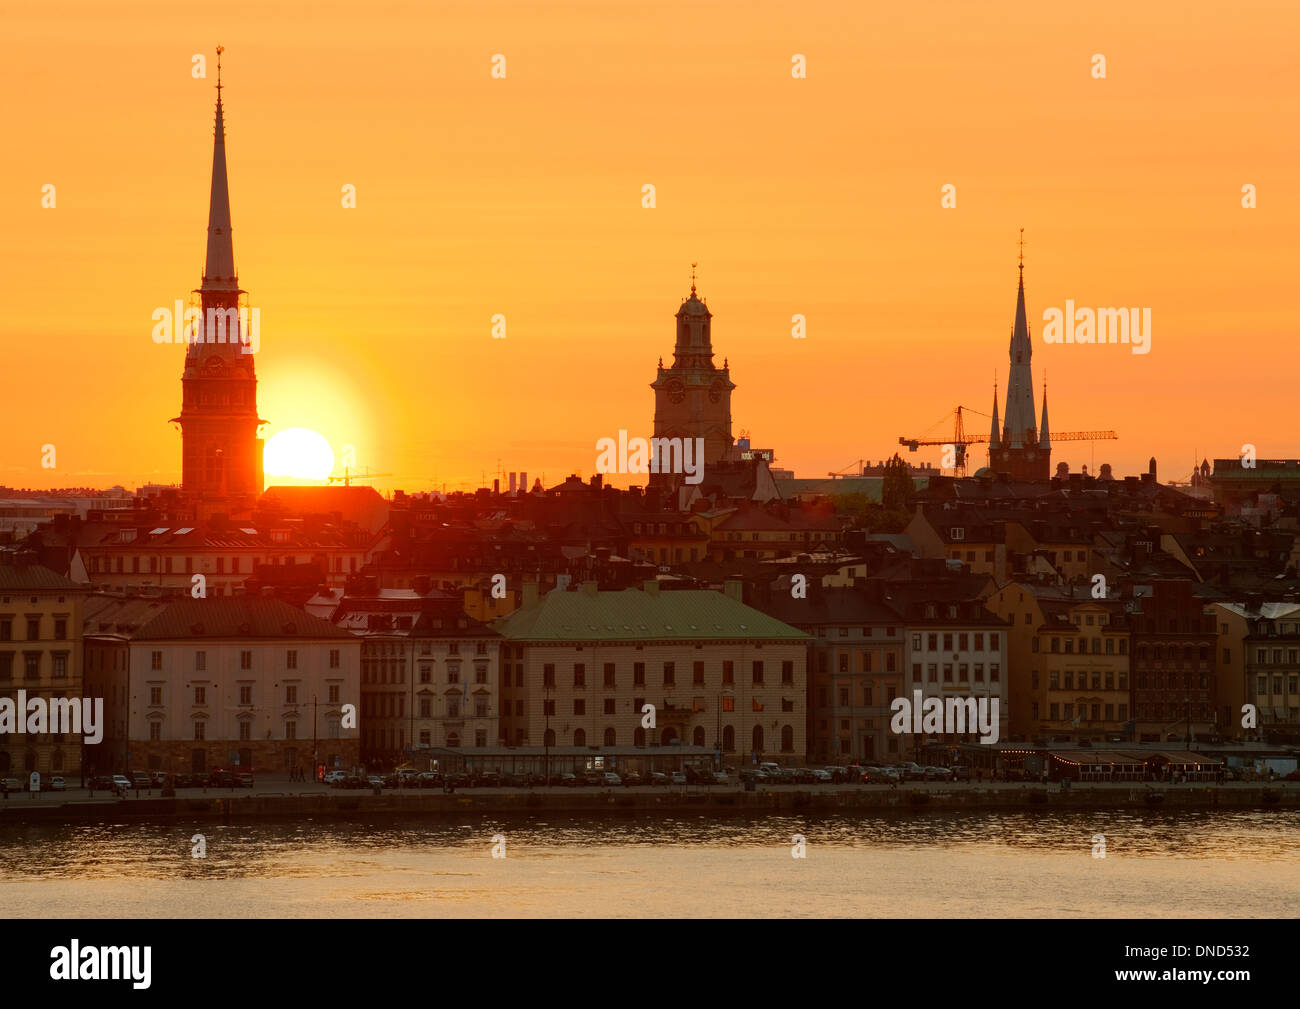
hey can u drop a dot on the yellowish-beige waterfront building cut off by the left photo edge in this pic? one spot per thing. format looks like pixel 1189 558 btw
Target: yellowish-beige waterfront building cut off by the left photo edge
pixel 41 653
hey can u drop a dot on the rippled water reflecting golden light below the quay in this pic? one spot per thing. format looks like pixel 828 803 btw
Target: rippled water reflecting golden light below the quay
pixel 1186 864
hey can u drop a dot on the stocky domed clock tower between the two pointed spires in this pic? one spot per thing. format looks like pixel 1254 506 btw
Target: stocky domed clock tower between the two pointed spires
pixel 692 400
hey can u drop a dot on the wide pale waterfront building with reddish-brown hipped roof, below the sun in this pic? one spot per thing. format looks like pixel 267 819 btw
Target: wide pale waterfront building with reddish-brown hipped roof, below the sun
pixel 240 685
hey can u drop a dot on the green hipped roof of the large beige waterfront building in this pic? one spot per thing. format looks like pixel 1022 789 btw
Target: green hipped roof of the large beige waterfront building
pixel 636 616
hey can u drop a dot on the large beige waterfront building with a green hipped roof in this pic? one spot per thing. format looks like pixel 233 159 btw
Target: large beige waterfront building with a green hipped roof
pixel 583 665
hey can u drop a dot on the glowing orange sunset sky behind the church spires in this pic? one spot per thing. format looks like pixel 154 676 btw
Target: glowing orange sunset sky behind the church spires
pixel 523 197
